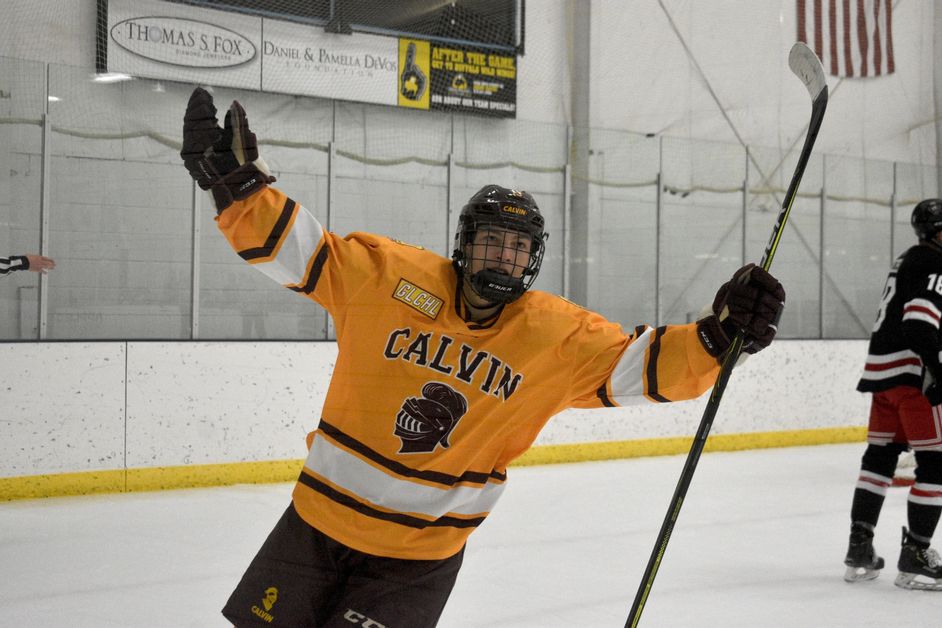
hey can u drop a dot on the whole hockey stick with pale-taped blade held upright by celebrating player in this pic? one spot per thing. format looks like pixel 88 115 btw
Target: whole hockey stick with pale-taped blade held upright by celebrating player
pixel 806 66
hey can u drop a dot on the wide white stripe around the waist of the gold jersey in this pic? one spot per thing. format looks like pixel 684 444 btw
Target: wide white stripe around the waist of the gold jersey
pixel 401 495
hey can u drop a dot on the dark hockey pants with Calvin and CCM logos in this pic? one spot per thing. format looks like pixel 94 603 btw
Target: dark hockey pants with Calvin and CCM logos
pixel 303 578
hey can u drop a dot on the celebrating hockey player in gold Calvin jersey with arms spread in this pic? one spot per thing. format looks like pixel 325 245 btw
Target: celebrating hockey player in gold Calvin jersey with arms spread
pixel 446 372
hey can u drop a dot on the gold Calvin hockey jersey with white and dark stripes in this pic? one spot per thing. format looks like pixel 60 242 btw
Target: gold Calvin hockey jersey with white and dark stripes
pixel 424 410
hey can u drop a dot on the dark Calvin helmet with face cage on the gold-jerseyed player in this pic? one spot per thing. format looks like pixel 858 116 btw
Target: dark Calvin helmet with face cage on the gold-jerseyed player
pixel 502 208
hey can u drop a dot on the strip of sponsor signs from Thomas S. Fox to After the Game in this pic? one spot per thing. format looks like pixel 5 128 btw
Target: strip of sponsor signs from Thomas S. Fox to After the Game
pixel 161 40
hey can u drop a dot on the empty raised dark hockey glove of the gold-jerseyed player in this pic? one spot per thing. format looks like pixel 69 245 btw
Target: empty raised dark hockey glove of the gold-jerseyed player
pixel 224 160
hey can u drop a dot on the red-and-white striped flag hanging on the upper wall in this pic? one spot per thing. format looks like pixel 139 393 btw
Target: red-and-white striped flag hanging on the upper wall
pixel 851 37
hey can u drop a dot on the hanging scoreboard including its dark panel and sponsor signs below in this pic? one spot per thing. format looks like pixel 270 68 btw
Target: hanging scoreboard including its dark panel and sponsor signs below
pixel 454 56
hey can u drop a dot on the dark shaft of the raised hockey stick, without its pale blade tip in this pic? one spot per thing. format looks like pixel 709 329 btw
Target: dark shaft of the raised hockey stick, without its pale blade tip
pixel 726 370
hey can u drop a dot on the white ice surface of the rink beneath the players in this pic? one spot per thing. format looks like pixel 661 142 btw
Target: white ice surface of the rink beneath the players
pixel 759 542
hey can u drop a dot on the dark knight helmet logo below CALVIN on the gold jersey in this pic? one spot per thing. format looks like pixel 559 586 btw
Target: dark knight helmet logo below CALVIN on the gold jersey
pixel 425 422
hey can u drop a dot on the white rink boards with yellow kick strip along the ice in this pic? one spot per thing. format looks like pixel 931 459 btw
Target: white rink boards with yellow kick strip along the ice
pixel 124 416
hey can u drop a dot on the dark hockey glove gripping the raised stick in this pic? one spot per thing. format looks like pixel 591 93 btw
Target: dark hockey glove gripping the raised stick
pixel 752 301
